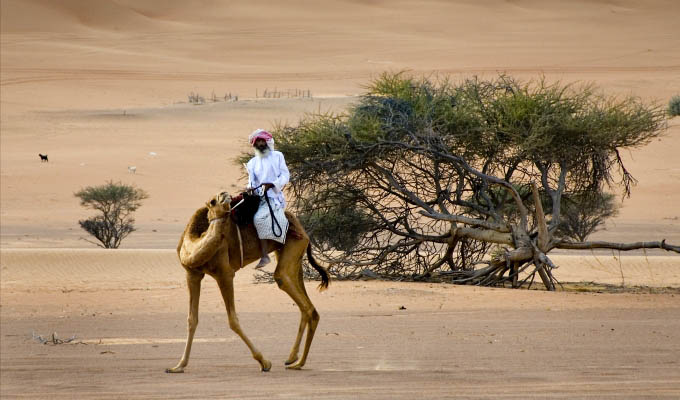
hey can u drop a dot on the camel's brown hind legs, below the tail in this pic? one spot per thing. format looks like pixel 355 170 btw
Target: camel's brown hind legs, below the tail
pixel 288 276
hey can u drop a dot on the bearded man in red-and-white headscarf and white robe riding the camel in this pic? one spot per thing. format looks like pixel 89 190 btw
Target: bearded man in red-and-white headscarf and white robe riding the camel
pixel 267 175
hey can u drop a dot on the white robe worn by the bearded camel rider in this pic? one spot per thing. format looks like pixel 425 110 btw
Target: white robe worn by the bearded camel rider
pixel 270 168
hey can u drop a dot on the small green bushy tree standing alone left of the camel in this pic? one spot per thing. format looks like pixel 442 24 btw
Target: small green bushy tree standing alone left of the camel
pixel 116 202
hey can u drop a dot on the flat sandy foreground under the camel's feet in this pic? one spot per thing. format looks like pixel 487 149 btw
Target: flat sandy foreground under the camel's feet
pixel 127 309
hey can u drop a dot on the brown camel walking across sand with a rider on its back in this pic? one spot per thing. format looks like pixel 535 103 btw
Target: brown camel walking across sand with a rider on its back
pixel 213 244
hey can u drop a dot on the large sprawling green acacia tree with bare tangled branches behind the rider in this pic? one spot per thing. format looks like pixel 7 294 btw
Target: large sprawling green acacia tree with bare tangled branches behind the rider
pixel 422 177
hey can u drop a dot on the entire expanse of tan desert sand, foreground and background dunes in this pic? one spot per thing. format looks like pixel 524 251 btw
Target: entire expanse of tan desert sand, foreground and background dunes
pixel 102 85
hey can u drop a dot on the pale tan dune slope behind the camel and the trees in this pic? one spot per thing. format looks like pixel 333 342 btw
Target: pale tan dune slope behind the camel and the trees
pixel 99 86
